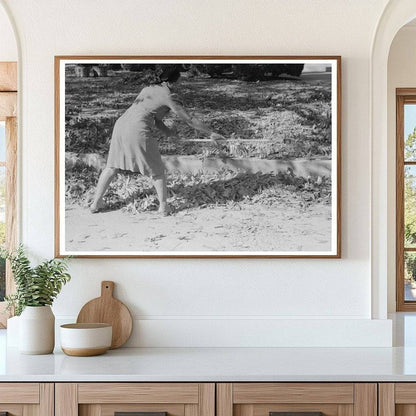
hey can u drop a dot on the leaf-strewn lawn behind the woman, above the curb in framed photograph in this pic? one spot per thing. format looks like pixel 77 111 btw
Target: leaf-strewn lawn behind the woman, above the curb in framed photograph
pixel 274 119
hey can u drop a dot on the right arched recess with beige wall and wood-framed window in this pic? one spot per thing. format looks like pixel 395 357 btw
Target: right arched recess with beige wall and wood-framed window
pixel 401 111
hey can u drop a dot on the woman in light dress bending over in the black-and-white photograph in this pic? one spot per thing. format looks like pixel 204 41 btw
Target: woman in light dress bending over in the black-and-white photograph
pixel 133 147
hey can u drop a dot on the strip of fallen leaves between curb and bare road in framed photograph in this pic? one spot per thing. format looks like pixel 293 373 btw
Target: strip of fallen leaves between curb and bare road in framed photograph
pixel 135 193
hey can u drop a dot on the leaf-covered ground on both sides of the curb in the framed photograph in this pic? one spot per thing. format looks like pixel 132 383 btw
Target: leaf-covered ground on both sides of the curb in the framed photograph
pixel 273 119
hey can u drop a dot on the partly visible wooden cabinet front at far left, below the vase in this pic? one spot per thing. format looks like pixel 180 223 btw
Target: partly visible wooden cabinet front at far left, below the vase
pixel 26 399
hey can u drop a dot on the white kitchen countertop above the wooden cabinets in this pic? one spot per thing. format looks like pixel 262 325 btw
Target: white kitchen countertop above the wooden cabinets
pixel 213 364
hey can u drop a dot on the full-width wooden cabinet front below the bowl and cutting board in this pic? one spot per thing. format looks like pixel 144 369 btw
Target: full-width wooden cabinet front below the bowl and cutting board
pixel 143 399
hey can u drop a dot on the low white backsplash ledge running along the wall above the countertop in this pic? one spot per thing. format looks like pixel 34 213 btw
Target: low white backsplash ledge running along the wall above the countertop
pixel 258 332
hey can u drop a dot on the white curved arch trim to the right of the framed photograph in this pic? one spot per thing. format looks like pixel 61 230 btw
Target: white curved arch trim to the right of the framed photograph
pixel 396 15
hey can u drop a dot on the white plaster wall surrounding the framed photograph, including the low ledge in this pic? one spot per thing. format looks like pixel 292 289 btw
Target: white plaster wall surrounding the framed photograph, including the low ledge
pixel 181 301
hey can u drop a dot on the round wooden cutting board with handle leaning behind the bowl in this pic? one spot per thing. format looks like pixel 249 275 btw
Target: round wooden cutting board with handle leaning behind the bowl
pixel 107 309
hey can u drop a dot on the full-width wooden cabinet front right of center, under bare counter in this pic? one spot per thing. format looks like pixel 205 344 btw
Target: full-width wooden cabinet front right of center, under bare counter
pixel 297 399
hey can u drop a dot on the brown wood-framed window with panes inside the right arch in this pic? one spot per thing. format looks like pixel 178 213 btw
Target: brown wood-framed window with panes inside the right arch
pixel 406 199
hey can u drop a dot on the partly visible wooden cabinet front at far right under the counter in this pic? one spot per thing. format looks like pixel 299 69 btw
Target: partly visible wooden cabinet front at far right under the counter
pixel 397 399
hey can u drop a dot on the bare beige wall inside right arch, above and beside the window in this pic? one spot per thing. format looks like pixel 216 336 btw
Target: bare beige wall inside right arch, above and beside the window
pixel 401 74
